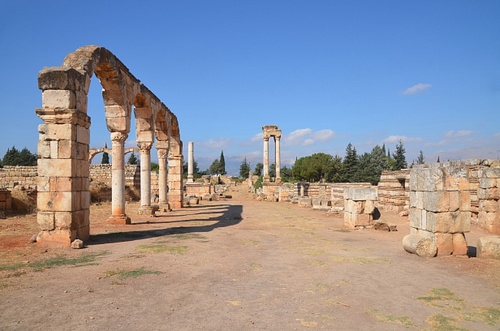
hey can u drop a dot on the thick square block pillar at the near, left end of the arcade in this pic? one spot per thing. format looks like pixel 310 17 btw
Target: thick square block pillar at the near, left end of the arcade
pixel 63 197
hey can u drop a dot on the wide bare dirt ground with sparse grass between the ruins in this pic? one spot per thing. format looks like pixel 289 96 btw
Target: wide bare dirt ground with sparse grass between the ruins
pixel 240 264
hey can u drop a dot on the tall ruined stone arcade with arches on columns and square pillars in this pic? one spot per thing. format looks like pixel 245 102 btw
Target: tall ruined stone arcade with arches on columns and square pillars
pixel 63 148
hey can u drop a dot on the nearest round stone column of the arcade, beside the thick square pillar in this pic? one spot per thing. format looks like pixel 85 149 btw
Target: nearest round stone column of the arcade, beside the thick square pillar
pixel 118 215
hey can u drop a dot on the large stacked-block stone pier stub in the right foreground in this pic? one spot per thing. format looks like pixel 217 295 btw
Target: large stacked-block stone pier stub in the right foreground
pixel 440 205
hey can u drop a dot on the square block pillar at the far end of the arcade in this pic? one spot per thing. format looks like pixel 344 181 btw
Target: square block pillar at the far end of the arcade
pixel 175 185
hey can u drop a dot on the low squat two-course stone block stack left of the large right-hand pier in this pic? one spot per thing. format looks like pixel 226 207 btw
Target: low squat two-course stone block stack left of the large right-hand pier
pixel 359 204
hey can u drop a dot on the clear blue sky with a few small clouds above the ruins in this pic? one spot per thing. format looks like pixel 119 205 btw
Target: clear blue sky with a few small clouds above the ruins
pixel 327 72
